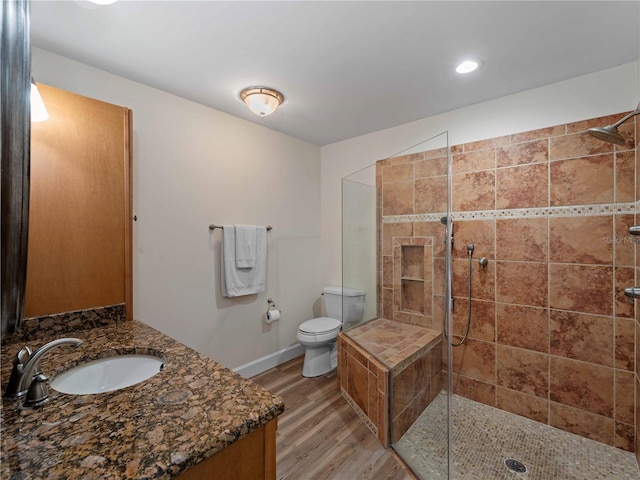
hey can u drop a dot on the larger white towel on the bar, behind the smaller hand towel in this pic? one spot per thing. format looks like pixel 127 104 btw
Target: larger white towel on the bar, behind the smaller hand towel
pixel 242 281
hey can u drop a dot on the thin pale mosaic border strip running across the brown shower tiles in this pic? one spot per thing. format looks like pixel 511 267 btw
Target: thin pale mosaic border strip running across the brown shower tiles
pixel 568 211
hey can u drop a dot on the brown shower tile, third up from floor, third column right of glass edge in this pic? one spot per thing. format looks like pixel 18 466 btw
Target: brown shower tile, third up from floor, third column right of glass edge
pixel 581 336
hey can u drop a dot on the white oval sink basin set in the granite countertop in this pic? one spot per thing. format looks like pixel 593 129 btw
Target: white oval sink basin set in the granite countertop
pixel 107 374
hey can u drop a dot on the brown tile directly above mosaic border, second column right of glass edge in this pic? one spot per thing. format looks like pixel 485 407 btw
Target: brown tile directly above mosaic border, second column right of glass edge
pixel 522 186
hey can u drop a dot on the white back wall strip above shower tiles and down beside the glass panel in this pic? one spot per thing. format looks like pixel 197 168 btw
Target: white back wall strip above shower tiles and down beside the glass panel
pixel 602 93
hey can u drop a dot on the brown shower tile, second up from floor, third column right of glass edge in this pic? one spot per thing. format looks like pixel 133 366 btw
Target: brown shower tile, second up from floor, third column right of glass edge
pixel 582 385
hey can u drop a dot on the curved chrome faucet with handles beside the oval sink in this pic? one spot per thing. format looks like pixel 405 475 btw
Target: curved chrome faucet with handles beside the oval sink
pixel 26 377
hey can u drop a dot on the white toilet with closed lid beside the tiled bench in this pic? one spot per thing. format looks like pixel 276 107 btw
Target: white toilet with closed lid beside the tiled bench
pixel 319 335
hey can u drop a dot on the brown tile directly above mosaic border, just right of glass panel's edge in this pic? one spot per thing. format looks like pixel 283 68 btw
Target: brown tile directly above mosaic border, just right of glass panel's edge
pixel 474 191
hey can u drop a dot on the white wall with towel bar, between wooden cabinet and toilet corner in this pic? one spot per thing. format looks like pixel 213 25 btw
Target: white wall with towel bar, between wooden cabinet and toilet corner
pixel 194 166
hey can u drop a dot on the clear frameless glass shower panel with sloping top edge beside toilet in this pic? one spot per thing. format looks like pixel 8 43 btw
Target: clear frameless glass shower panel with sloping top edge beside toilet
pixel 395 247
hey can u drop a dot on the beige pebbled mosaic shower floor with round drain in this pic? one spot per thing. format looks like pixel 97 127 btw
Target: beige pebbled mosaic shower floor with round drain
pixel 483 437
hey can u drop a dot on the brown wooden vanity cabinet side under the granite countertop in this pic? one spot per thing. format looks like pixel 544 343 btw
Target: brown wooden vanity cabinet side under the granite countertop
pixel 253 457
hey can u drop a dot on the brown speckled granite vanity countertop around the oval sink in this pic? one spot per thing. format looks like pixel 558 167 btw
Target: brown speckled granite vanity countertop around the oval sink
pixel 157 429
